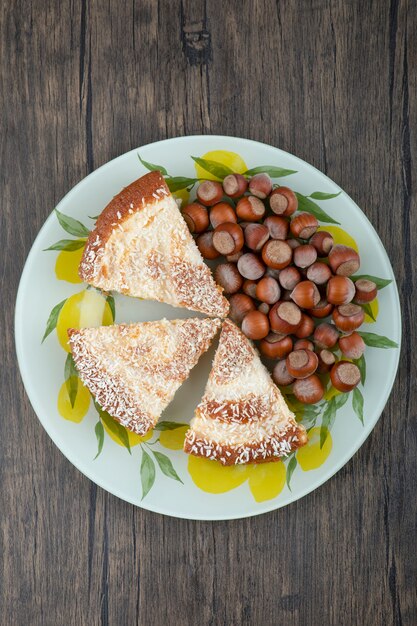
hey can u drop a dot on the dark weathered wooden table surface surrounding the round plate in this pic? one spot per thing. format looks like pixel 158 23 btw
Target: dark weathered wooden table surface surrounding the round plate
pixel 333 81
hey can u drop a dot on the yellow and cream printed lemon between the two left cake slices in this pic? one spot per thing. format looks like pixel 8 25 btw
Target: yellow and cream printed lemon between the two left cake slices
pixel 83 309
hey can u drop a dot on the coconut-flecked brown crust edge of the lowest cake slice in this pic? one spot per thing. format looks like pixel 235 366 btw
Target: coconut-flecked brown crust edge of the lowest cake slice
pixel 271 449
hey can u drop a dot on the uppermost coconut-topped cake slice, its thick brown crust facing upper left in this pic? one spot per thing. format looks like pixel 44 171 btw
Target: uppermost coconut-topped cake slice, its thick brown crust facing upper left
pixel 141 247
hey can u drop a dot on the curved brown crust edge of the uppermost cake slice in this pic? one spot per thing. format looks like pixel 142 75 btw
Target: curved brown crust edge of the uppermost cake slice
pixel 131 199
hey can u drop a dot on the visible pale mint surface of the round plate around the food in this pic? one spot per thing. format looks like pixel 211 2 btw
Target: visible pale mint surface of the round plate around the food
pixel 42 365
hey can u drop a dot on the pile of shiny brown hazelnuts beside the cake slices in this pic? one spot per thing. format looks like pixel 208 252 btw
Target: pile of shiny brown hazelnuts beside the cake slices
pixel 283 277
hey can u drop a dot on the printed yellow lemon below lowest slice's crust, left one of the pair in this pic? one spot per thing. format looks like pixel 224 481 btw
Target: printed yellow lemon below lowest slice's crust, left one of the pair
pixel 213 477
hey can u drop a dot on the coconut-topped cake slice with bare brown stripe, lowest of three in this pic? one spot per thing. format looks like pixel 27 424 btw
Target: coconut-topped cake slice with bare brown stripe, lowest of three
pixel 242 417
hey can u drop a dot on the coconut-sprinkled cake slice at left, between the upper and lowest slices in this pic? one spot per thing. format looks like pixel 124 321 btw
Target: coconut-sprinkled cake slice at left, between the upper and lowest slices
pixel 134 370
